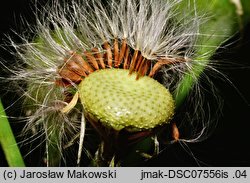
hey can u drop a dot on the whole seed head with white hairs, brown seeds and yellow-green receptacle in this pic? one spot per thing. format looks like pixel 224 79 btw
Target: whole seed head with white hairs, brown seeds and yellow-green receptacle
pixel 123 57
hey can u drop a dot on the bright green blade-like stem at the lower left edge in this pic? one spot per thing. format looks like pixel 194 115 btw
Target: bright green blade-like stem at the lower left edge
pixel 8 142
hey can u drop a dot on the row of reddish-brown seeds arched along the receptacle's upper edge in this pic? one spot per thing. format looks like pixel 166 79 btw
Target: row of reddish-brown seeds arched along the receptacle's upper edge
pixel 77 66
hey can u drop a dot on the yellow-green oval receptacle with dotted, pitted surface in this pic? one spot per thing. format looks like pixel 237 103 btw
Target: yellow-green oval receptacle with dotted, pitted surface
pixel 120 101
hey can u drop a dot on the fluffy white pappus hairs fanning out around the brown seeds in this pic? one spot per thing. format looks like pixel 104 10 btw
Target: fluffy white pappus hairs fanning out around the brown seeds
pixel 158 29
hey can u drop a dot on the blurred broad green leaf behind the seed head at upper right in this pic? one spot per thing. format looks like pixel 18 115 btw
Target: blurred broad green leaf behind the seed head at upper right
pixel 222 23
